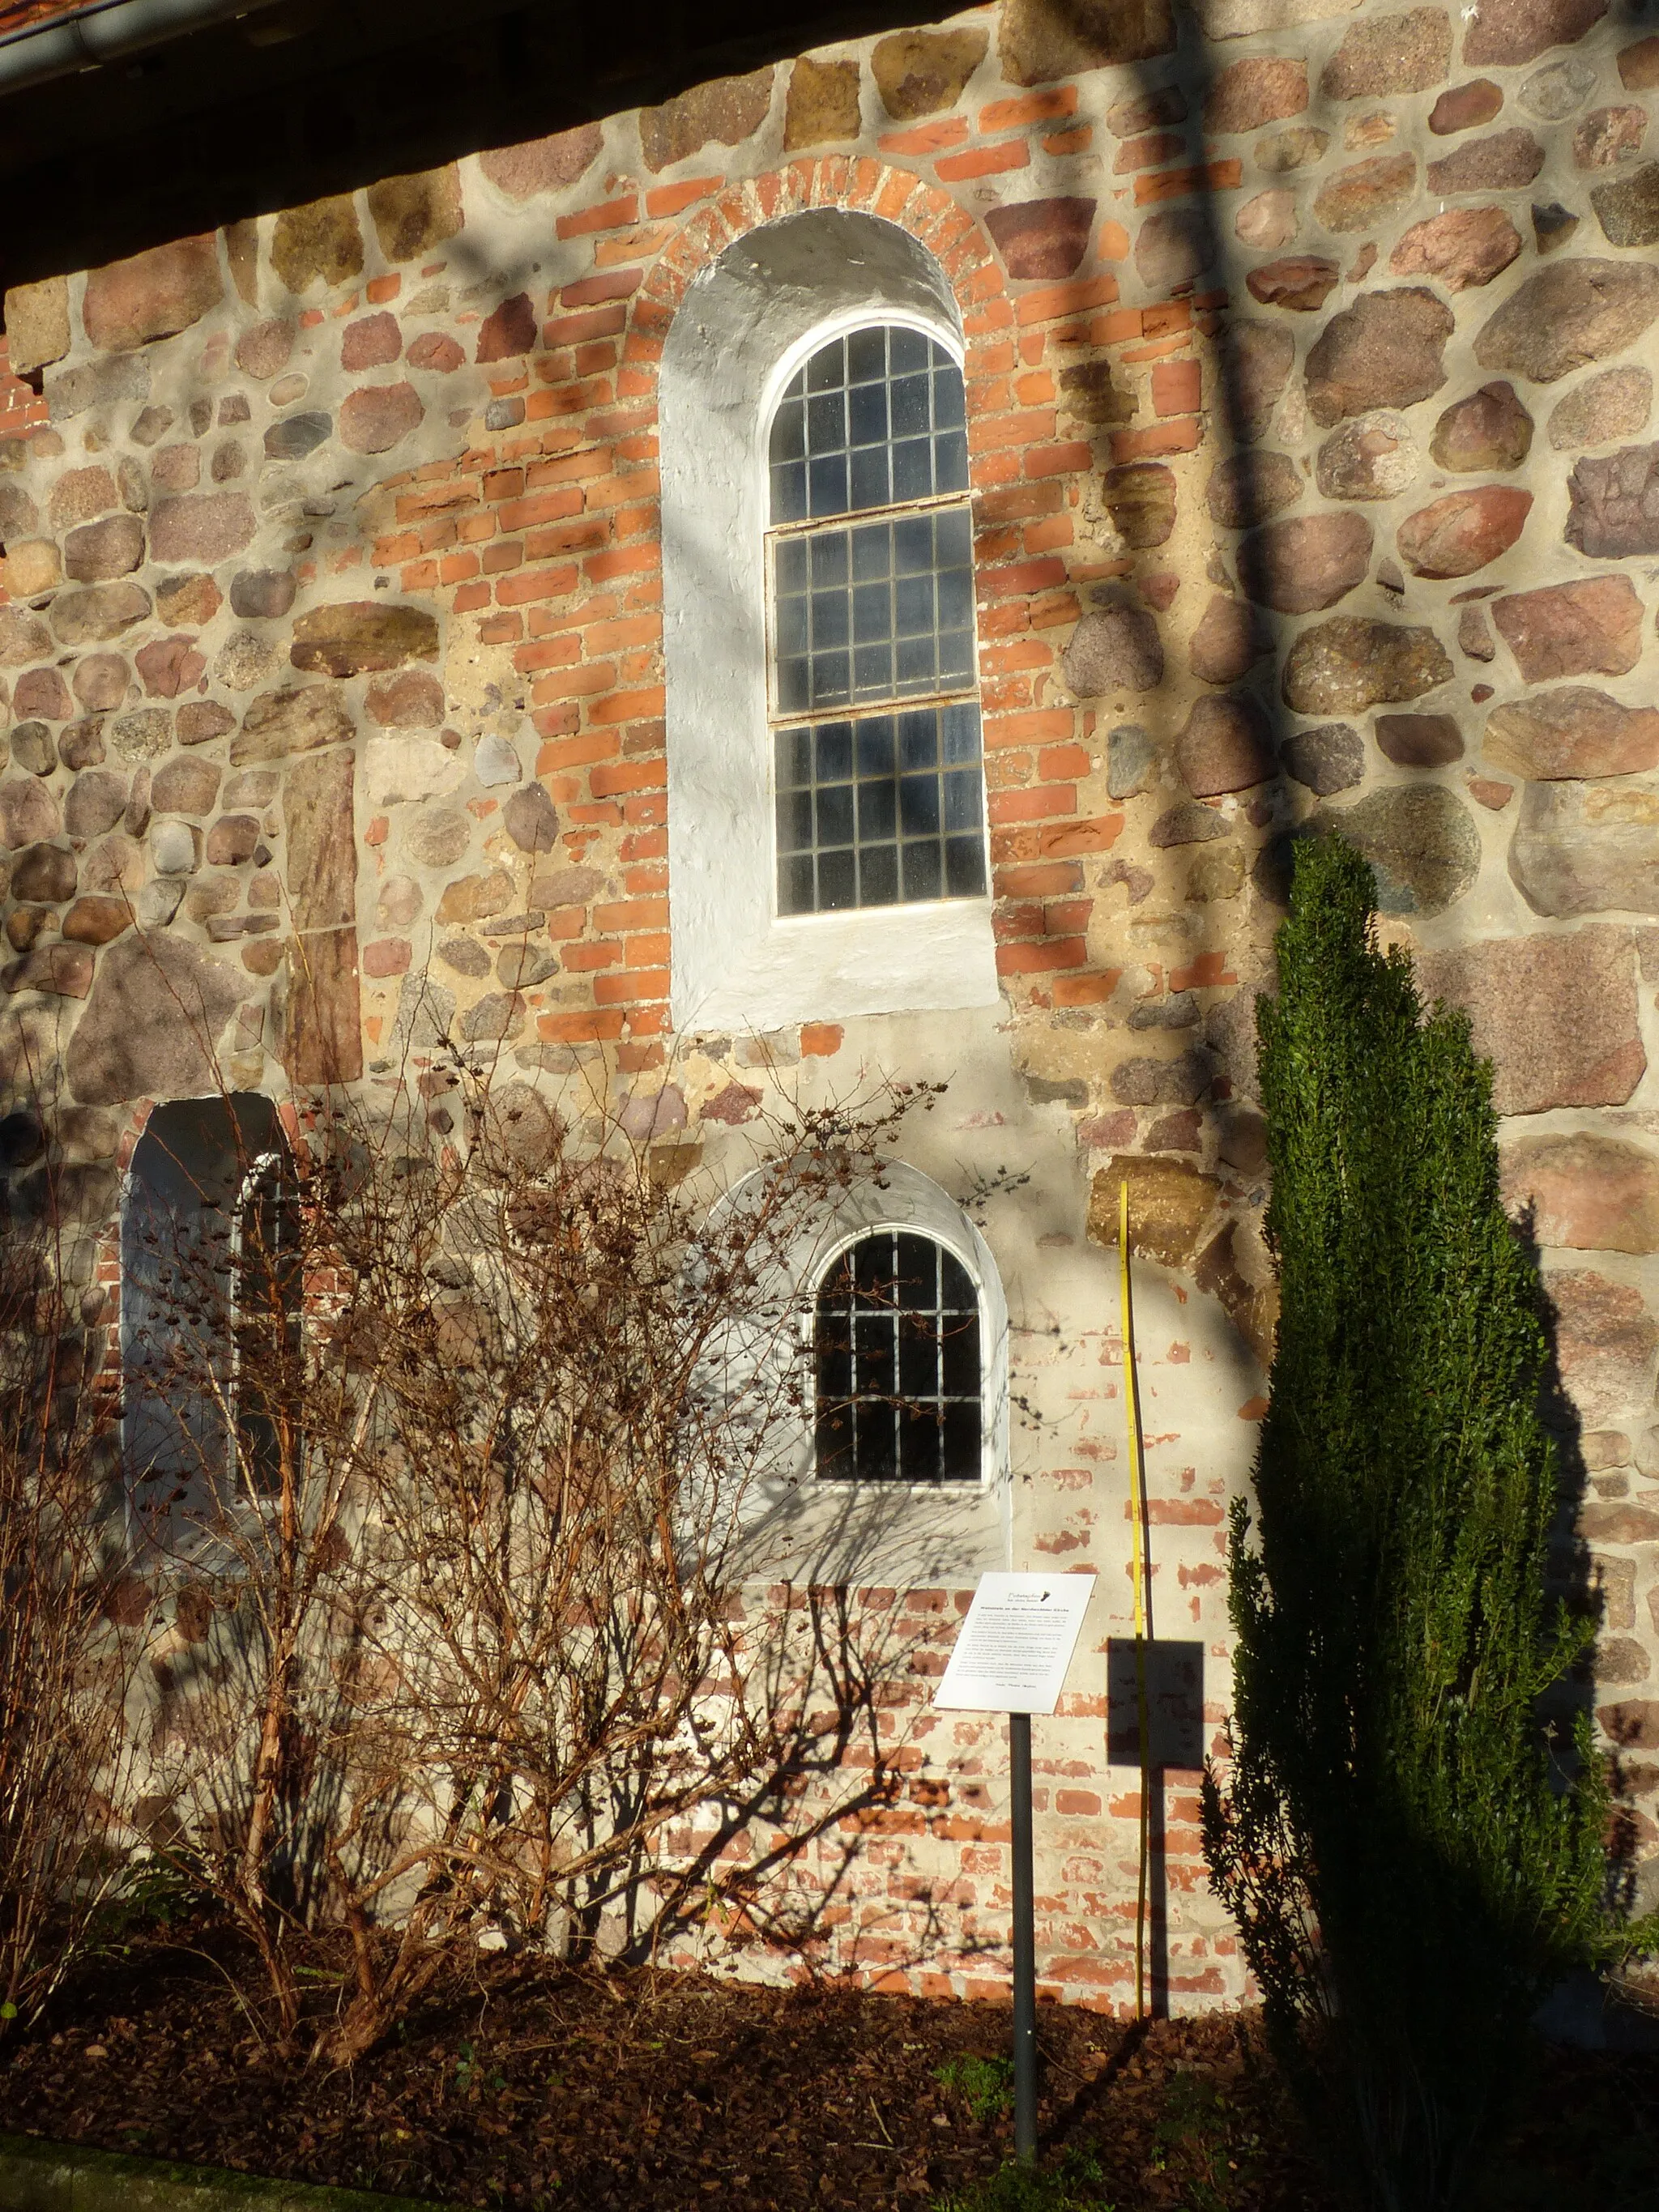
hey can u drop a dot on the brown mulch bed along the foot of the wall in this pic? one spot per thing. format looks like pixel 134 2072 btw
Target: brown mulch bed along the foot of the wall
pixel 647 2091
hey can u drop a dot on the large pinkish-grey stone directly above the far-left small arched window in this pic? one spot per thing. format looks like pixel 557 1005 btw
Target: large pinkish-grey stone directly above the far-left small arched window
pixel 152 1021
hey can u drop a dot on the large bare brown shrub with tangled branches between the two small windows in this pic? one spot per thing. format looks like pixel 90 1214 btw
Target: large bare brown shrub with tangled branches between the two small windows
pixel 486 1428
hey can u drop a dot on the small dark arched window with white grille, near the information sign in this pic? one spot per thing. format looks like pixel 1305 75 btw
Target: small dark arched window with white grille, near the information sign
pixel 897 1339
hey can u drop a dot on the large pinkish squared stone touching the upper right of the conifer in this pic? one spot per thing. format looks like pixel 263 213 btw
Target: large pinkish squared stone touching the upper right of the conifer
pixel 1556 1016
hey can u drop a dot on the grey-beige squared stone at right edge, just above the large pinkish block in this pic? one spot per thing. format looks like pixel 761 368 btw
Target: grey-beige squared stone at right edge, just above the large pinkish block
pixel 1587 848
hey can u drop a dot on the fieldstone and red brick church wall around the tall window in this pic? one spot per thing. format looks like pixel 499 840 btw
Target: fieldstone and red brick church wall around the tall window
pixel 1311 377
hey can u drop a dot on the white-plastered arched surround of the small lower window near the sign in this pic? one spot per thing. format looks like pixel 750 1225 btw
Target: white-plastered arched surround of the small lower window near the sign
pixel 806 1523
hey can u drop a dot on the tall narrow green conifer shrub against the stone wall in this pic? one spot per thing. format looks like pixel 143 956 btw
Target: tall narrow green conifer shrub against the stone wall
pixel 1410 1859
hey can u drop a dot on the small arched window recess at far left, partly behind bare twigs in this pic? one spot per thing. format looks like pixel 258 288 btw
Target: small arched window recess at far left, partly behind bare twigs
pixel 209 1306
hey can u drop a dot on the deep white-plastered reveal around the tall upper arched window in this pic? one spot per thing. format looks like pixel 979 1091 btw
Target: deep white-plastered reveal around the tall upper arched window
pixel 740 959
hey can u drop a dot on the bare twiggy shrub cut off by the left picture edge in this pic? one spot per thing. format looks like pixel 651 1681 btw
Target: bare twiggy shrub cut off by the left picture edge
pixel 67 1645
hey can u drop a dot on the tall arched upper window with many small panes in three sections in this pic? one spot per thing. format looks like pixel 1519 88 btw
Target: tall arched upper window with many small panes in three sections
pixel 877 724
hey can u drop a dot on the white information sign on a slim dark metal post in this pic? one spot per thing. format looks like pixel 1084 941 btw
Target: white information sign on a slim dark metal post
pixel 1012 1656
